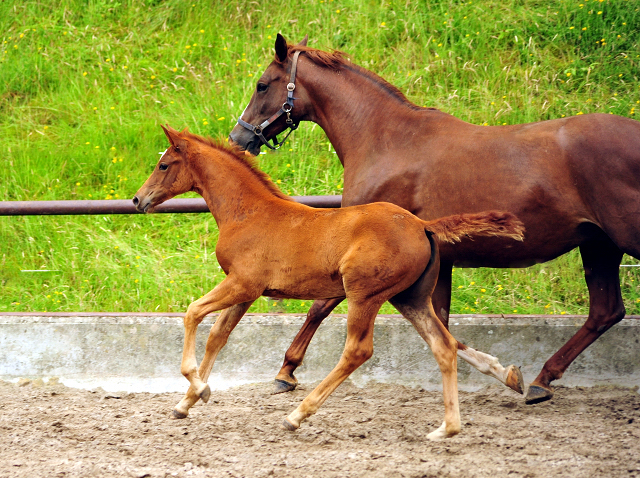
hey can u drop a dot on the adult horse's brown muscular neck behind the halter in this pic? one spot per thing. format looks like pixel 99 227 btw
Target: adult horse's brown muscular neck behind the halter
pixel 357 113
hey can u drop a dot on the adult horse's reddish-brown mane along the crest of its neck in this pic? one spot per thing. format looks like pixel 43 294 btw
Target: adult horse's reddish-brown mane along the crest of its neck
pixel 336 60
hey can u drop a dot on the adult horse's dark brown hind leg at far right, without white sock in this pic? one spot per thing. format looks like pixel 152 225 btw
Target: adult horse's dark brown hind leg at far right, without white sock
pixel 601 261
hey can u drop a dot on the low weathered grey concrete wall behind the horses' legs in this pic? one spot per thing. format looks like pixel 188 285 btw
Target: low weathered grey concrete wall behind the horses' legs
pixel 142 353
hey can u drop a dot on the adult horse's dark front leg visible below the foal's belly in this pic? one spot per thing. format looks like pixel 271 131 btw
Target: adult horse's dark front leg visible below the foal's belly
pixel 285 381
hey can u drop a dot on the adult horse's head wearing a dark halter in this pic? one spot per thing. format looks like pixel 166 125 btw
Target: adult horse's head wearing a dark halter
pixel 275 104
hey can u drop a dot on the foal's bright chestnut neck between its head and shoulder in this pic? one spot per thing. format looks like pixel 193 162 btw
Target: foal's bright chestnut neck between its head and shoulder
pixel 231 191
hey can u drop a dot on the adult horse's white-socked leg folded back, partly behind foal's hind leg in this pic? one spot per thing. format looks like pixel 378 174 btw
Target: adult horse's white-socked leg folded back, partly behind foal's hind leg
pixel 485 363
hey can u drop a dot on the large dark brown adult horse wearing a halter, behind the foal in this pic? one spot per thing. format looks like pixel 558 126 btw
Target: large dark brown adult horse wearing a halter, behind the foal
pixel 574 182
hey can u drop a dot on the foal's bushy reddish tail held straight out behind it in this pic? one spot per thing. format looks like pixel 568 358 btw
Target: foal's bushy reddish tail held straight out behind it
pixel 488 223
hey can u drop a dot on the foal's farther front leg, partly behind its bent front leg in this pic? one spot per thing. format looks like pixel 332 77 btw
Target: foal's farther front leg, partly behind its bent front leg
pixel 218 336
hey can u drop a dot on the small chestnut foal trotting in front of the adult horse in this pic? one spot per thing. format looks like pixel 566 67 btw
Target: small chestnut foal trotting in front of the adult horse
pixel 270 245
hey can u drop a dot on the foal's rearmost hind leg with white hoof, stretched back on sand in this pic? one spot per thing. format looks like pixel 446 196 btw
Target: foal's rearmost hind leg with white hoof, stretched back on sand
pixel 444 347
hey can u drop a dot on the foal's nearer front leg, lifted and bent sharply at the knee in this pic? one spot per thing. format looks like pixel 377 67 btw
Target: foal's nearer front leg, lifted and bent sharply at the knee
pixel 228 293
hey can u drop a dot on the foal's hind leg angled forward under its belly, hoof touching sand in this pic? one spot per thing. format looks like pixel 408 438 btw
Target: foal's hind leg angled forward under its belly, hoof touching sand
pixel 357 350
